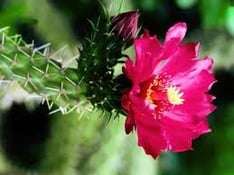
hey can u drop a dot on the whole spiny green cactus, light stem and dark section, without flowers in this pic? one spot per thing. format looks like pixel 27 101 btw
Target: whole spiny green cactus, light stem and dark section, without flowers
pixel 91 84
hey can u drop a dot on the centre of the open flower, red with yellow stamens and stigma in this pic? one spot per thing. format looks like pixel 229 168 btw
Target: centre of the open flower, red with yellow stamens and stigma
pixel 161 94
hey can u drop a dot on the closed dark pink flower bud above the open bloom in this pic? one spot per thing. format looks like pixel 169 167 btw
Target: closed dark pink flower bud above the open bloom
pixel 125 24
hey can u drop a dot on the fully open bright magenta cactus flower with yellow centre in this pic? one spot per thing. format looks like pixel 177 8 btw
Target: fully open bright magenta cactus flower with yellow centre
pixel 168 102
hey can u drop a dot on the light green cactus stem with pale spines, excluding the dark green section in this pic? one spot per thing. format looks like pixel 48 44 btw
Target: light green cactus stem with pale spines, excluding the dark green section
pixel 37 70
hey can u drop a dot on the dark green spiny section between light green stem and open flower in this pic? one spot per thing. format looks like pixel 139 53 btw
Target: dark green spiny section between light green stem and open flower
pixel 101 52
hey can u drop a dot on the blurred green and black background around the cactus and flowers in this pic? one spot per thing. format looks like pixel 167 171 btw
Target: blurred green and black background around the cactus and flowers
pixel 33 142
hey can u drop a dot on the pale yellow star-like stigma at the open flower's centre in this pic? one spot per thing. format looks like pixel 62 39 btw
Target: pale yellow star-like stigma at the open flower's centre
pixel 174 95
